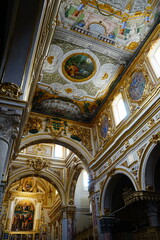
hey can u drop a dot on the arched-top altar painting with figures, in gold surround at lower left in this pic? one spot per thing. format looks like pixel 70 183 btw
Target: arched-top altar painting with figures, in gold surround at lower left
pixel 23 216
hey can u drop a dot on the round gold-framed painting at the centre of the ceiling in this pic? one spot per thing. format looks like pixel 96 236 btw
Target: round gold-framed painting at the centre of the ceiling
pixel 79 67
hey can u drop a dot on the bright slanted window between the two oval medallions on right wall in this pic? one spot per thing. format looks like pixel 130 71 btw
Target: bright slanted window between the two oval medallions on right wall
pixel 119 109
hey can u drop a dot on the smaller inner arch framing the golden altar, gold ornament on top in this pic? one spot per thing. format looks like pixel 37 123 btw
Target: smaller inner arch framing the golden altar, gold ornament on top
pixel 49 176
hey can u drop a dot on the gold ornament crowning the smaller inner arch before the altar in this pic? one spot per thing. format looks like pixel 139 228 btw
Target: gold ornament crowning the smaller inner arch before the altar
pixel 38 163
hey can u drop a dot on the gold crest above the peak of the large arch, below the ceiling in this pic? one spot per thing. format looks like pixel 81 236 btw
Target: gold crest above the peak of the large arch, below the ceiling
pixel 56 127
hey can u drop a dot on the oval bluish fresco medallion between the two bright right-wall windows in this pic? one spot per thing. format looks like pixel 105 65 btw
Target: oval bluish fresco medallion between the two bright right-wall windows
pixel 137 86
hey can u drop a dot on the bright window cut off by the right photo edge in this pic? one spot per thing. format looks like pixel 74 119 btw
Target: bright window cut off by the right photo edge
pixel 154 58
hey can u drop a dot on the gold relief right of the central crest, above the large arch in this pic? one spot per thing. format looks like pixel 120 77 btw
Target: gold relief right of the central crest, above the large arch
pixel 82 135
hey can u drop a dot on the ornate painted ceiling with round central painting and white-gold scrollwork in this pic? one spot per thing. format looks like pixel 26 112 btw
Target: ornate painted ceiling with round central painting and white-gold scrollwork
pixel 92 44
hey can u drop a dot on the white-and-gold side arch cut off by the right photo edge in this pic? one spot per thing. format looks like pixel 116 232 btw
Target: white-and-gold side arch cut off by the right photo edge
pixel 147 165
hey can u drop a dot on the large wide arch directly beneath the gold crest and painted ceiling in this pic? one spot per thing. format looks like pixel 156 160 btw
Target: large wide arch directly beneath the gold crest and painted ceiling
pixel 75 147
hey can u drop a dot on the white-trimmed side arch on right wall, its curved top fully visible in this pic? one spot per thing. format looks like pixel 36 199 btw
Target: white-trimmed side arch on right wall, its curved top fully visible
pixel 109 186
